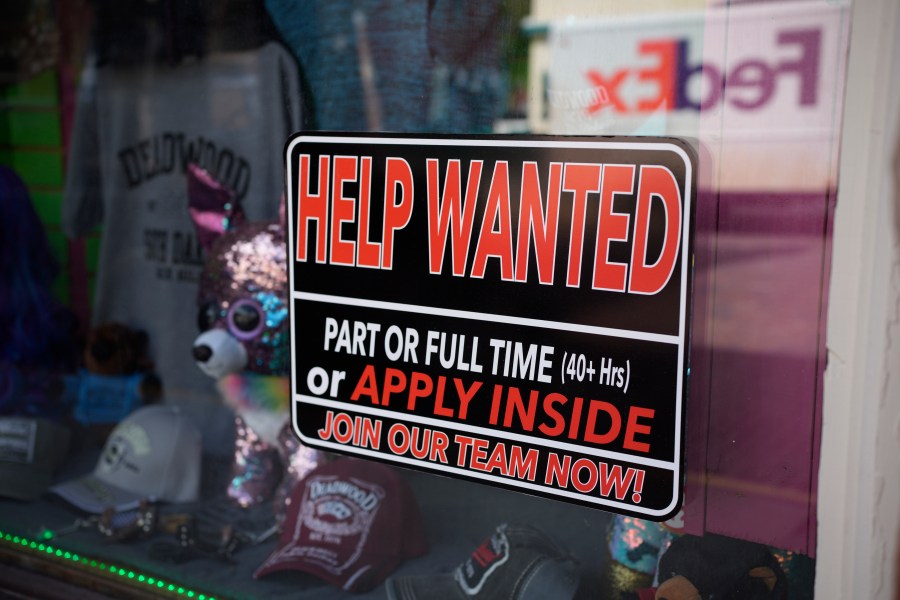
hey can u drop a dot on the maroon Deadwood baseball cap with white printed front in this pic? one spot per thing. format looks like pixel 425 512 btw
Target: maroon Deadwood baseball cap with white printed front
pixel 350 522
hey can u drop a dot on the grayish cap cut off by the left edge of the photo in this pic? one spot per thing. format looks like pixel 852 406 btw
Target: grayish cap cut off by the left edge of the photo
pixel 30 451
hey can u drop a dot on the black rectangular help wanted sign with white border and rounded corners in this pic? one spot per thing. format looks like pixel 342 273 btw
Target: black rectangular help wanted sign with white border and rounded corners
pixel 509 310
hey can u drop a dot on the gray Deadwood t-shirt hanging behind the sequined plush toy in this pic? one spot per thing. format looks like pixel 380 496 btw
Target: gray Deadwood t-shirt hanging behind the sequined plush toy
pixel 135 132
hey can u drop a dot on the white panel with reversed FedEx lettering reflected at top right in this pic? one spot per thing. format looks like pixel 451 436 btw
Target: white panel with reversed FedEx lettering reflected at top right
pixel 767 67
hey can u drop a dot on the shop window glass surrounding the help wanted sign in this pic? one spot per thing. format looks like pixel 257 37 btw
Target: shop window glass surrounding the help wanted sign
pixel 146 441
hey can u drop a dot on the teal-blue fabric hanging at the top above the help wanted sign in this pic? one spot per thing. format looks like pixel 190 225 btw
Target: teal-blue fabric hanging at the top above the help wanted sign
pixel 399 65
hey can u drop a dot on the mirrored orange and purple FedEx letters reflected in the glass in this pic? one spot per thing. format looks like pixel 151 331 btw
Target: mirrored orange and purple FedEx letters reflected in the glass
pixel 748 85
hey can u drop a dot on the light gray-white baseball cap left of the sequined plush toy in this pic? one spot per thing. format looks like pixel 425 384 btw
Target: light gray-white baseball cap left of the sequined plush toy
pixel 154 454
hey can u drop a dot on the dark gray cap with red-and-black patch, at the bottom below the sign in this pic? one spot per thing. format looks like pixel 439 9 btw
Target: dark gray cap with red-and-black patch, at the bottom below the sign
pixel 517 562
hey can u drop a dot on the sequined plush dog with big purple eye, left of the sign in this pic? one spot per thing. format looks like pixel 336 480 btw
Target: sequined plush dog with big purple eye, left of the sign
pixel 244 344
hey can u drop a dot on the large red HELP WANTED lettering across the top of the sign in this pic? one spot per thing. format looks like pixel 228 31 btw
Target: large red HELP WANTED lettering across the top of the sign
pixel 334 227
